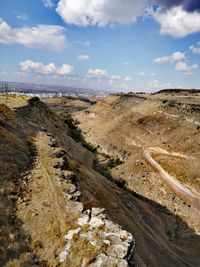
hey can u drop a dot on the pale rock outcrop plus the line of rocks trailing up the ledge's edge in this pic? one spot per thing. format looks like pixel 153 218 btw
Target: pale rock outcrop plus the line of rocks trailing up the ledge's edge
pixel 94 240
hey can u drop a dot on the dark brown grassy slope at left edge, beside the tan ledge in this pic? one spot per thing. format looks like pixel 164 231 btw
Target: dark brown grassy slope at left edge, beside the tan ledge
pixel 15 158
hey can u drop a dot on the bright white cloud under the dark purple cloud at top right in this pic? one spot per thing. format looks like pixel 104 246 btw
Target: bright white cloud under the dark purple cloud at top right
pixel 177 22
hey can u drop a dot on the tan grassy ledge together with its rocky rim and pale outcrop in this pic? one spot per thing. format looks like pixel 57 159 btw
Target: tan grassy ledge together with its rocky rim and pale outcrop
pixel 53 216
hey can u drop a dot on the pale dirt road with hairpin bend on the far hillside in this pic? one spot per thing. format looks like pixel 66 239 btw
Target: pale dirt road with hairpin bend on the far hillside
pixel 183 191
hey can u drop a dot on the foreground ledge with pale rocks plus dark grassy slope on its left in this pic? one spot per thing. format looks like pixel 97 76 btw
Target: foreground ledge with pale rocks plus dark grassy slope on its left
pixel 46 202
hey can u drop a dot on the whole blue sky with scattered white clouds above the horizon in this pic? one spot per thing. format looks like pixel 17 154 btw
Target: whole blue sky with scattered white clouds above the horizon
pixel 127 45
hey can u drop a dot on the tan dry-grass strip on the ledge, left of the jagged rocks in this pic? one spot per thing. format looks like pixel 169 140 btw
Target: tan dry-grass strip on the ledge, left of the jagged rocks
pixel 43 209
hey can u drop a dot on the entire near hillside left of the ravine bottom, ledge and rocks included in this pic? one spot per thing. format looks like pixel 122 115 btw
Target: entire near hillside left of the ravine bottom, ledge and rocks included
pixel 70 214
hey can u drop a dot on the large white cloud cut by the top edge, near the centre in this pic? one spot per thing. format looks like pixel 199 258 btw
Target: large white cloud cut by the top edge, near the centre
pixel 100 12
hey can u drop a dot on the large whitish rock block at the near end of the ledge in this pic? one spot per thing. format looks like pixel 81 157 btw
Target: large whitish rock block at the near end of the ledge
pixel 103 242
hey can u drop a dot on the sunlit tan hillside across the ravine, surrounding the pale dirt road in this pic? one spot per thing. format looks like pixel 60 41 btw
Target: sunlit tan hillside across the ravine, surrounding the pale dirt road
pixel 125 126
